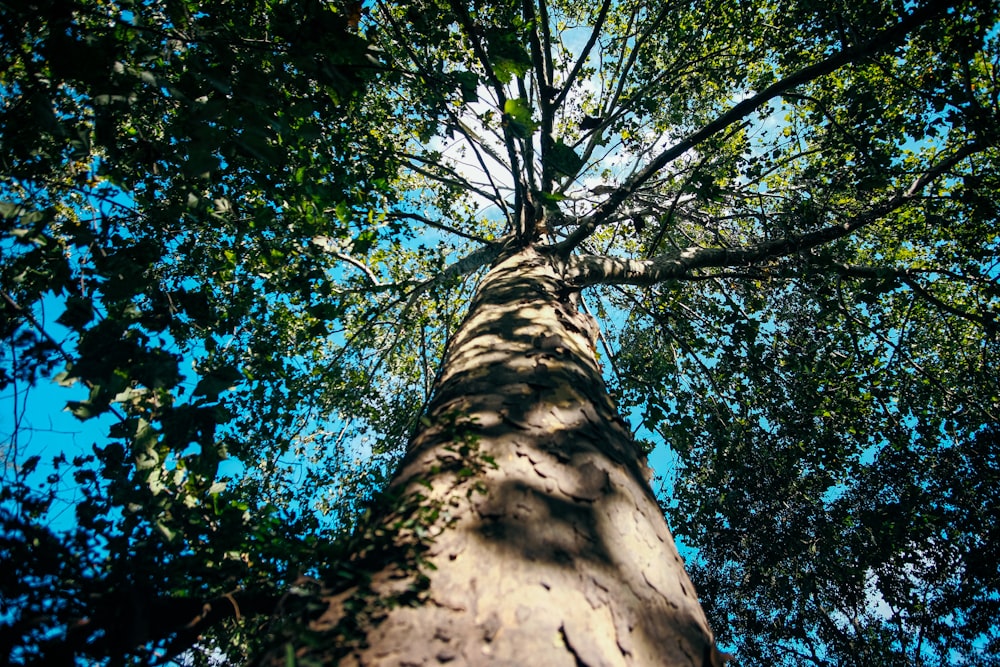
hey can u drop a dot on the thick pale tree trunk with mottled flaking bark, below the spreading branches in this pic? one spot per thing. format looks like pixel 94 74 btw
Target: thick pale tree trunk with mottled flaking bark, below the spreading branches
pixel 524 530
